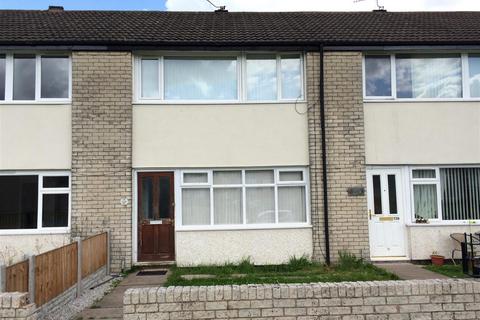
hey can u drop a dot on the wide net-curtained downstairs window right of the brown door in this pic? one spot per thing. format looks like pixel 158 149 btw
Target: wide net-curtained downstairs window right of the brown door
pixel 244 197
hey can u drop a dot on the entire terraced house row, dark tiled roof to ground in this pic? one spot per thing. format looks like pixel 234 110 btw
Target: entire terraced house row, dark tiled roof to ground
pixel 208 137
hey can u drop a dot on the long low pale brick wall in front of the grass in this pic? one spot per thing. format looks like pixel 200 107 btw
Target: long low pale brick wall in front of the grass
pixel 376 300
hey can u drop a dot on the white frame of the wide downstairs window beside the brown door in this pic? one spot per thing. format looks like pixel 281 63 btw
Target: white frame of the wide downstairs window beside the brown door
pixel 243 185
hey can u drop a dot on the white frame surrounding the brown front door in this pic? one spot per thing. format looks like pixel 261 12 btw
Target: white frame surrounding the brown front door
pixel 134 230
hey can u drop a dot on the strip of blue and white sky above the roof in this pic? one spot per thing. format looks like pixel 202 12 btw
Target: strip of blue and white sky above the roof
pixel 247 5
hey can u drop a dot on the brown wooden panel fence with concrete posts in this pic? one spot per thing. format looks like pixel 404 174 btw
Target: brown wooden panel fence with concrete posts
pixel 51 273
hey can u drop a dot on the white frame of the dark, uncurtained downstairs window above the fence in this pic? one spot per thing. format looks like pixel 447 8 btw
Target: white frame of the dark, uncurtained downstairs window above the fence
pixel 40 192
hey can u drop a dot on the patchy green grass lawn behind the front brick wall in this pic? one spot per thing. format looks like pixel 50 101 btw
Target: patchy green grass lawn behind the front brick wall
pixel 298 270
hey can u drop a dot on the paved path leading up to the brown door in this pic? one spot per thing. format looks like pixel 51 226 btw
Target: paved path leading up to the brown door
pixel 111 305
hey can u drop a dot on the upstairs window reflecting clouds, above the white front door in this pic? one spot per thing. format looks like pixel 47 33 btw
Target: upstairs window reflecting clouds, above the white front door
pixel 422 76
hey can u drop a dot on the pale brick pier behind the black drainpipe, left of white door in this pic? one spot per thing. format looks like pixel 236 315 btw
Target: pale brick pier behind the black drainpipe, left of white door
pixel 348 219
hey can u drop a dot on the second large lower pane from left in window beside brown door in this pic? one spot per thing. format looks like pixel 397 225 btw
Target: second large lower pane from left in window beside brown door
pixel 227 205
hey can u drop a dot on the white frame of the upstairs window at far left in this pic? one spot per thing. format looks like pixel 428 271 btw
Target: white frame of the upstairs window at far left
pixel 9 60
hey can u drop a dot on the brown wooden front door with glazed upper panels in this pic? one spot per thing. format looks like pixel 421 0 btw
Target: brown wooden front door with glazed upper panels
pixel 156 227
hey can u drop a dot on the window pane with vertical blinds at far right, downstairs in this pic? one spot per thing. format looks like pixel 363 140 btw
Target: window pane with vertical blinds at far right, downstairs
pixel 460 189
